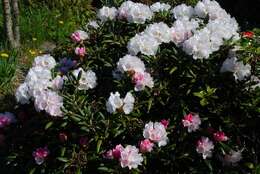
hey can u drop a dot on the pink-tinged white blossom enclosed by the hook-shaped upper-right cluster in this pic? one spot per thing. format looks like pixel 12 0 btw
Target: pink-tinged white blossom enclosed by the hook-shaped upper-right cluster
pixel 182 30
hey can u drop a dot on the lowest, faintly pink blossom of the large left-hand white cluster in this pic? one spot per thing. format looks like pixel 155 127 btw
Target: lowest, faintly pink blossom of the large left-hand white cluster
pixel 49 101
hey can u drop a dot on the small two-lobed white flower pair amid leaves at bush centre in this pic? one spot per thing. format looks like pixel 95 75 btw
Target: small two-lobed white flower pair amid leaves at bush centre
pixel 115 103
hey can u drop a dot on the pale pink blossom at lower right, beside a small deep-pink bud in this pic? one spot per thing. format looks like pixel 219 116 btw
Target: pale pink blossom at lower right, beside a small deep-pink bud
pixel 205 147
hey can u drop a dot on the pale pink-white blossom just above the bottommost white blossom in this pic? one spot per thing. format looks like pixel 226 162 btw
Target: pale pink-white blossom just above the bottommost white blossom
pixel 156 132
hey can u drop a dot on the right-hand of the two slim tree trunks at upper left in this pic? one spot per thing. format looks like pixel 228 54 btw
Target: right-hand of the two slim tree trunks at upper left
pixel 16 22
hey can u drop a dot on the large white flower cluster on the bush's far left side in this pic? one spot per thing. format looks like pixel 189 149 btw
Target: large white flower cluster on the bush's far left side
pixel 40 87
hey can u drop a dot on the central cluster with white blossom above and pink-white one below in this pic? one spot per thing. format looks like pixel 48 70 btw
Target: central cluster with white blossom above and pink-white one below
pixel 136 69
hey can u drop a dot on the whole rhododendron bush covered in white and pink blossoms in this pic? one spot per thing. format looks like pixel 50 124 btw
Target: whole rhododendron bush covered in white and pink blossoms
pixel 142 89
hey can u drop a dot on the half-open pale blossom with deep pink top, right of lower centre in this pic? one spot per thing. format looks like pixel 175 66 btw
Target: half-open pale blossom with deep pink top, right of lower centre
pixel 192 122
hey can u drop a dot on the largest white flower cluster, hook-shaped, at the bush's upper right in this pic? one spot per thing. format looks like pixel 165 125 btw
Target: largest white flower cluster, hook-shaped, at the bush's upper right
pixel 220 27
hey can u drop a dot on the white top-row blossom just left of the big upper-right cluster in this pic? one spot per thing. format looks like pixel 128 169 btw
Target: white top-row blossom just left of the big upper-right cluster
pixel 183 11
